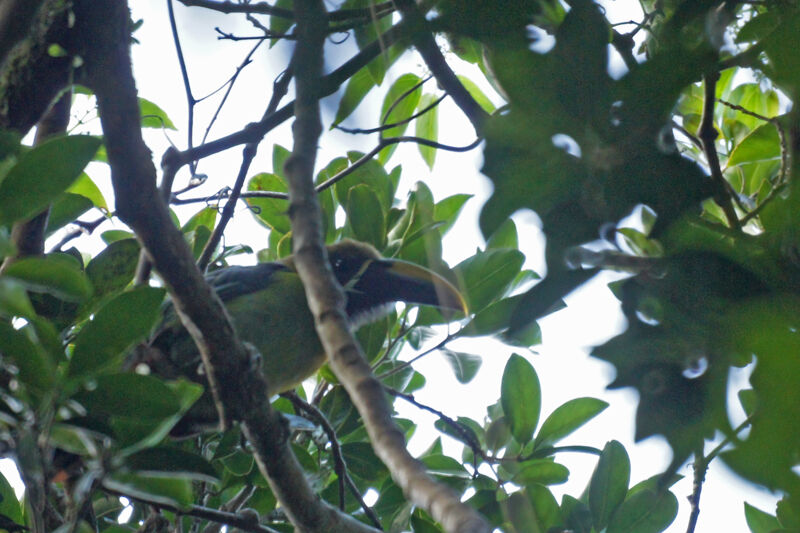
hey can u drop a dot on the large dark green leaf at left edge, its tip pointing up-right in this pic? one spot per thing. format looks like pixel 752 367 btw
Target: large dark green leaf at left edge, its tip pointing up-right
pixel 42 173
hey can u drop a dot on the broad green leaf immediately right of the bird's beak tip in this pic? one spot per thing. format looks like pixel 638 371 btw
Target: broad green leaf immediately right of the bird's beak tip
pixel 486 275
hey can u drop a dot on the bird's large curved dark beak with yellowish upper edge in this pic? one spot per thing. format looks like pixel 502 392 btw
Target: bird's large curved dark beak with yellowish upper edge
pixel 412 283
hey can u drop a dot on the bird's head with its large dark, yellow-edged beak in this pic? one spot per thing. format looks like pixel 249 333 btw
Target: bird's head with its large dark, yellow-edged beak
pixel 372 283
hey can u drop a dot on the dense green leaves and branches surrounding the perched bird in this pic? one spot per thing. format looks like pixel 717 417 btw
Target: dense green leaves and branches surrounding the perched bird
pixel 674 167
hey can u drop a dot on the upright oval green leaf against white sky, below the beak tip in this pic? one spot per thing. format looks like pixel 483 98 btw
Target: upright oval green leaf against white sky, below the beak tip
pixel 521 397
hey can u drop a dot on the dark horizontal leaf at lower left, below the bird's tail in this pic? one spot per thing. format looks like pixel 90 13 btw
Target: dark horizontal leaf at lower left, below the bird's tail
pixel 170 461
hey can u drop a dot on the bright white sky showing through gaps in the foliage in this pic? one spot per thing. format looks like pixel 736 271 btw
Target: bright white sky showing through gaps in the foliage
pixel 592 316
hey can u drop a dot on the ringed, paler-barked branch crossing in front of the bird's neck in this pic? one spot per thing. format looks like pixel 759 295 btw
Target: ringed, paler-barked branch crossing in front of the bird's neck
pixel 326 298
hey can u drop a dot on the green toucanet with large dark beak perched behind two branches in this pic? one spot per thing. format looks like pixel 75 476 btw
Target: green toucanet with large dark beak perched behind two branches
pixel 267 307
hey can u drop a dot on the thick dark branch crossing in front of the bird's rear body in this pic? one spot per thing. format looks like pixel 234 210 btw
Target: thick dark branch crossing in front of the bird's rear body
pixel 239 389
